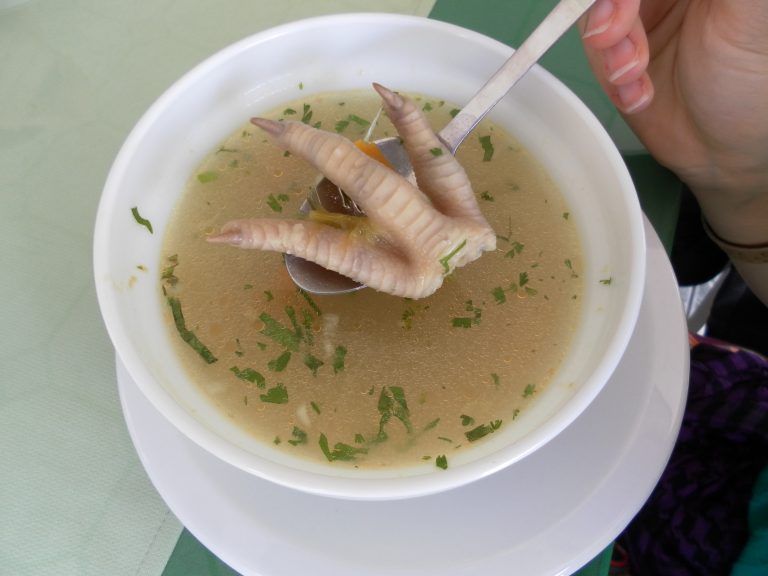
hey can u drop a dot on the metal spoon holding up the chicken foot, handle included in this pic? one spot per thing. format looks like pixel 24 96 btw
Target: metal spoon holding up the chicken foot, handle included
pixel 327 196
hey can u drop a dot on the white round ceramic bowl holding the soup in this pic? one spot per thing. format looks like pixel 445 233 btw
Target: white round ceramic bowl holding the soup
pixel 347 52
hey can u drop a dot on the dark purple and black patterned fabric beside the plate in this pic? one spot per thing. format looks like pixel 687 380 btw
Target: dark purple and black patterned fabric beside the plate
pixel 695 522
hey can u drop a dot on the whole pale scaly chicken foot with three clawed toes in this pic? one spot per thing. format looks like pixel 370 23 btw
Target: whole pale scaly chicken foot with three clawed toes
pixel 420 234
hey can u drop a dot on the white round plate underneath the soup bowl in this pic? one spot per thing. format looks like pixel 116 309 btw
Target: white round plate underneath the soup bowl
pixel 548 514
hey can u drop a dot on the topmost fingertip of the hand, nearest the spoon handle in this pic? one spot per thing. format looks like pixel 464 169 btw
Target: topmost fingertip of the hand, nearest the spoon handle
pixel 607 22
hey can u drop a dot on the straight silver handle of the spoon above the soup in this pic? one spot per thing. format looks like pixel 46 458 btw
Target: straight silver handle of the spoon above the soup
pixel 556 23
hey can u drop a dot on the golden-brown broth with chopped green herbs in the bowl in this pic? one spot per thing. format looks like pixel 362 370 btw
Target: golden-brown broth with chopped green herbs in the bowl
pixel 368 379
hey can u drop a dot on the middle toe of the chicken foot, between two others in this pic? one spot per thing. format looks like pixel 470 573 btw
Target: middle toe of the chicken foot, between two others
pixel 397 209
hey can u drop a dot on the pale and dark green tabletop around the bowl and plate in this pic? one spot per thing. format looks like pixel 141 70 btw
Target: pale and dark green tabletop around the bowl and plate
pixel 75 76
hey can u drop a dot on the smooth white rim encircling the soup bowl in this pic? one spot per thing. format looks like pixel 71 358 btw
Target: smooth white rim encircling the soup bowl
pixel 312 482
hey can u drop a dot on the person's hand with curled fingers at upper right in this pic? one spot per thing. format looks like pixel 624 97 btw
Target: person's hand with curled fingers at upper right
pixel 691 78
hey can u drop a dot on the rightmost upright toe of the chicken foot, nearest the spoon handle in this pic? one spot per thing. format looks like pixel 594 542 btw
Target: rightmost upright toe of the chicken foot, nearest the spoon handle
pixel 438 173
